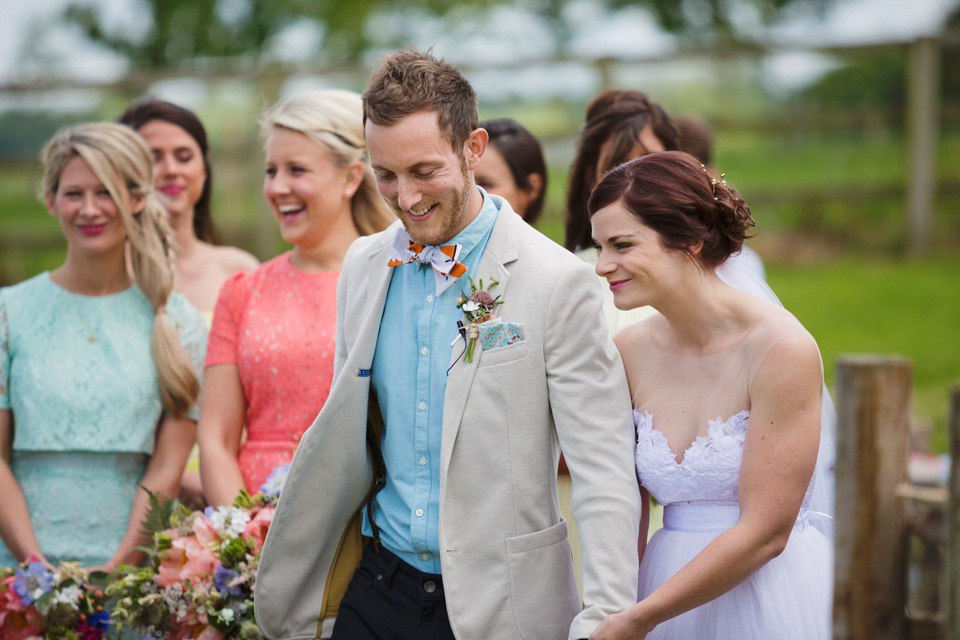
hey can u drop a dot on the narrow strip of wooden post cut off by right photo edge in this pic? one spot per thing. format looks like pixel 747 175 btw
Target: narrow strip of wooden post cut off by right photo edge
pixel 952 570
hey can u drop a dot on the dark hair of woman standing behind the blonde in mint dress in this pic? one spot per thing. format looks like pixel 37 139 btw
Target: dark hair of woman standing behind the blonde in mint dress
pixel 142 112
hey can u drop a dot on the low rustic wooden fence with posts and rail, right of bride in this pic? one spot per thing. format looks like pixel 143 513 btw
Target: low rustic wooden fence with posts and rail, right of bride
pixel 897 542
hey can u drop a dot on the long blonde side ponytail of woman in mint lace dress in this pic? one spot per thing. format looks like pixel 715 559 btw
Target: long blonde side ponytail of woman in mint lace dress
pixel 121 160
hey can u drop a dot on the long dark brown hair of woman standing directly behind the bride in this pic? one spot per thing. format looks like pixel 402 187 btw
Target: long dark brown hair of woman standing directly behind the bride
pixel 619 116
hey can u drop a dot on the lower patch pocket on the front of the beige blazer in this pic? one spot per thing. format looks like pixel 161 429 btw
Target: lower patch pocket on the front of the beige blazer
pixel 543 587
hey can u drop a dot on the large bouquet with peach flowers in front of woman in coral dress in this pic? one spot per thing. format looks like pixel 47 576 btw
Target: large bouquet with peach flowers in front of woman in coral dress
pixel 202 570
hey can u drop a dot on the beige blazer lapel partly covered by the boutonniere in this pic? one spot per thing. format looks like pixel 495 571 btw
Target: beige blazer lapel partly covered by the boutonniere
pixel 502 249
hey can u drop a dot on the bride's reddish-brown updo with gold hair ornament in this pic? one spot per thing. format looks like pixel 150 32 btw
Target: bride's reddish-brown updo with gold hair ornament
pixel 673 194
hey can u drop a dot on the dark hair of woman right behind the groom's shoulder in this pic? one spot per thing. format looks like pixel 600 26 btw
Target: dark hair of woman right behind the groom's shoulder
pixel 523 155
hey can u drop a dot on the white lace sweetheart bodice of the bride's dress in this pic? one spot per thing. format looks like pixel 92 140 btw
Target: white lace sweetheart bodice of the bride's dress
pixel 709 470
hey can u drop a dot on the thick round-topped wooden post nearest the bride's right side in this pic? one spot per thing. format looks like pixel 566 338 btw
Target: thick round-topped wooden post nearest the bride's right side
pixel 873 428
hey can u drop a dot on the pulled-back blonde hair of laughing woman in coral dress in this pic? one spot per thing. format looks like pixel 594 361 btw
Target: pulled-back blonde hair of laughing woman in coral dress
pixel 334 118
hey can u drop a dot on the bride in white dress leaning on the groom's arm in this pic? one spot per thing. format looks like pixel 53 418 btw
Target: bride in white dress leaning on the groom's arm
pixel 727 390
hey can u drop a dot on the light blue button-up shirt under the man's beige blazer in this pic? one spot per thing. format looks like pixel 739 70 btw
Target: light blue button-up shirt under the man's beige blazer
pixel 410 378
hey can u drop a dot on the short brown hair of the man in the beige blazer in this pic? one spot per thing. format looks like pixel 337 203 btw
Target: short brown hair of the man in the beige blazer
pixel 410 82
